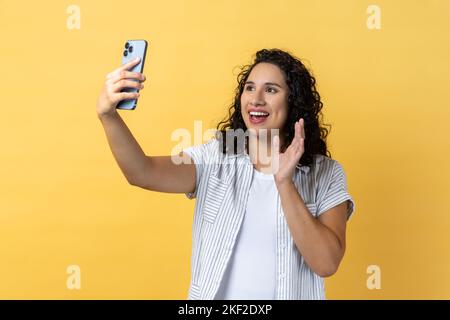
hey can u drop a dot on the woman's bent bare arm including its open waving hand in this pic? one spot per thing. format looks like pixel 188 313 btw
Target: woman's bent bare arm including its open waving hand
pixel 321 241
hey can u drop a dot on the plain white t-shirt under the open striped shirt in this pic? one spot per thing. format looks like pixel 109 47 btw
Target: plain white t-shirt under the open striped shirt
pixel 251 271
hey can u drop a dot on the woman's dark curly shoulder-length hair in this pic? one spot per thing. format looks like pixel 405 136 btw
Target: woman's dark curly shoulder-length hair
pixel 303 102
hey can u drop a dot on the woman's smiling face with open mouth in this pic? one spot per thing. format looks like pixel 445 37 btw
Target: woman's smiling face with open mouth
pixel 264 99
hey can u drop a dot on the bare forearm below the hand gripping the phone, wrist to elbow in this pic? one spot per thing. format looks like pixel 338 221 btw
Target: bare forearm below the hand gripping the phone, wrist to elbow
pixel 126 150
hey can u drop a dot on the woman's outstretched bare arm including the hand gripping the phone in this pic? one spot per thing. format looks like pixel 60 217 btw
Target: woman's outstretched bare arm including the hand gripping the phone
pixel 153 173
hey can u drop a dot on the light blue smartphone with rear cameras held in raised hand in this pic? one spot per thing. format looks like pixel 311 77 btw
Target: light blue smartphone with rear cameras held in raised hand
pixel 133 49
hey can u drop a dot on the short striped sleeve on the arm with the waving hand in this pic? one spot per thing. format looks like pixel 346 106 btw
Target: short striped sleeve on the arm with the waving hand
pixel 336 191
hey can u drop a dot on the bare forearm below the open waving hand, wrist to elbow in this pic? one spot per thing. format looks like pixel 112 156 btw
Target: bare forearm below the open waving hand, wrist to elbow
pixel 319 246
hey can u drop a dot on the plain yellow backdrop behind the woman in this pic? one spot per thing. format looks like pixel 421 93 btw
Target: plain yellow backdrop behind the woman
pixel 64 201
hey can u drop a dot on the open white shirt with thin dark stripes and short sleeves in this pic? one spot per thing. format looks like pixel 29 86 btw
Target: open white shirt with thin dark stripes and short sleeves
pixel 222 185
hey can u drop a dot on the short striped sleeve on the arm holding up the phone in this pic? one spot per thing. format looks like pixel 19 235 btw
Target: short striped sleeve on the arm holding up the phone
pixel 201 155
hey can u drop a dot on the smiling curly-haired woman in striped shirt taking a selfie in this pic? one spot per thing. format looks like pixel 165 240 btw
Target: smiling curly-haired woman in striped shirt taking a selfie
pixel 269 229
